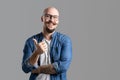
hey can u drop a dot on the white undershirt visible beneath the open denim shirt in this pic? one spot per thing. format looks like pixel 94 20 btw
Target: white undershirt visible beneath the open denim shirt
pixel 44 60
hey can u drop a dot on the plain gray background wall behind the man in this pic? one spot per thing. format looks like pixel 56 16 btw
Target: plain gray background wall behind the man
pixel 93 25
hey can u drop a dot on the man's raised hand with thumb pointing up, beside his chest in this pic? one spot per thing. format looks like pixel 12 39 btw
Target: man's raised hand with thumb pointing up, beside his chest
pixel 40 47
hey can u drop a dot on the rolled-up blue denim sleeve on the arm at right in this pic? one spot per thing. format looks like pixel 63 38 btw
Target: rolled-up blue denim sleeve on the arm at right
pixel 65 56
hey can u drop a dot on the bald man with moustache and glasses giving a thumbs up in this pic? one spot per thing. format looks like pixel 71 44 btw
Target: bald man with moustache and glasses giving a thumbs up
pixel 47 55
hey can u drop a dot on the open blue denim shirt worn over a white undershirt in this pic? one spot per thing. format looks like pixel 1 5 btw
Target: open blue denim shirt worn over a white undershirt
pixel 60 54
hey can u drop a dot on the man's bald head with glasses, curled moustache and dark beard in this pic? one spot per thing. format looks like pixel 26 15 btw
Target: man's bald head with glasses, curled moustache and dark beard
pixel 50 19
